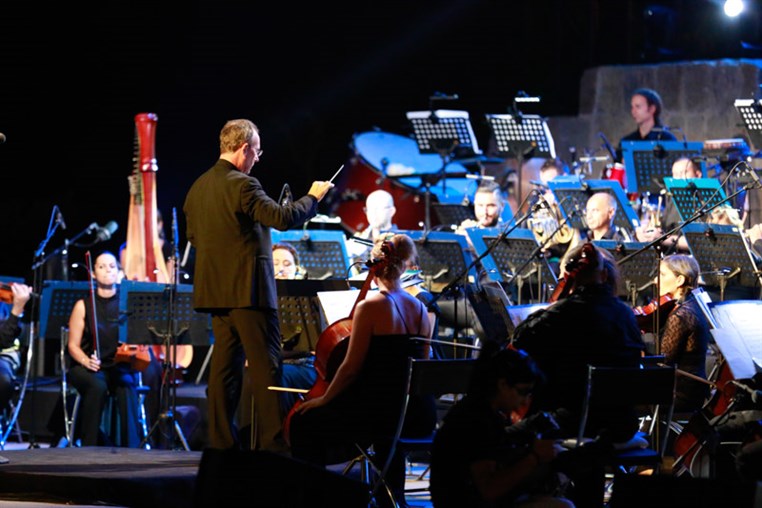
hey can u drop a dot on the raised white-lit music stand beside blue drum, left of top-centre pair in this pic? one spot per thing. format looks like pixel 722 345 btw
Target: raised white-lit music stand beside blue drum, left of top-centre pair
pixel 447 133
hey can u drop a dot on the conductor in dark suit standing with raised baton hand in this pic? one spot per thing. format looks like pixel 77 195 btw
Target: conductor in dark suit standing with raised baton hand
pixel 228 219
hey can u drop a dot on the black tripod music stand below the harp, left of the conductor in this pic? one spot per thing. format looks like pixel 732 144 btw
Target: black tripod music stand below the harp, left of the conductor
pixel 162 314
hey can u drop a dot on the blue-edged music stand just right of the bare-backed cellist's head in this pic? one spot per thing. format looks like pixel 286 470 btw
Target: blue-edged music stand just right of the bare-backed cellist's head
pixel 442 256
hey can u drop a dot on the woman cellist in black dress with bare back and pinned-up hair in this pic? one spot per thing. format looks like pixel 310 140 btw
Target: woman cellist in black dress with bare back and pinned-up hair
pixel 362 401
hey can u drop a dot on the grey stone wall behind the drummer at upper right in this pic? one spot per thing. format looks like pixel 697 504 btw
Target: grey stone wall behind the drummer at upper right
pixel 698 97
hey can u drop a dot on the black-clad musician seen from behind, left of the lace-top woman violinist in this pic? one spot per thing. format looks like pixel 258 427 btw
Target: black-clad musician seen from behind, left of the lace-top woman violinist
pixel 606 333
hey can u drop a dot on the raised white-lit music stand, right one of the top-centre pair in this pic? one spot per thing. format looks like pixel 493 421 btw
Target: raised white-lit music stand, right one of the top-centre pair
pixel 521 136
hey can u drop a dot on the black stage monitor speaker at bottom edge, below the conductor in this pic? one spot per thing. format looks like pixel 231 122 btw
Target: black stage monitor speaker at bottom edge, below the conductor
pixel 234 478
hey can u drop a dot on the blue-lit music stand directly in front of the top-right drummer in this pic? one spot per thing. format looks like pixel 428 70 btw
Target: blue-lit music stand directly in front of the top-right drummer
pixel 647 163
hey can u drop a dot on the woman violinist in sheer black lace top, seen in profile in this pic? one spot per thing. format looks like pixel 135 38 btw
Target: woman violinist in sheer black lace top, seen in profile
pixel 685 336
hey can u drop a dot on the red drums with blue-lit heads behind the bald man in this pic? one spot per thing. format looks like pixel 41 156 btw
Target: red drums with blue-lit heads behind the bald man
pixel 382 160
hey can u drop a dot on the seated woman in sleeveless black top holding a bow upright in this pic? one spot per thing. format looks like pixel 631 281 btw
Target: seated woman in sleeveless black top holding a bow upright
pixel 94 373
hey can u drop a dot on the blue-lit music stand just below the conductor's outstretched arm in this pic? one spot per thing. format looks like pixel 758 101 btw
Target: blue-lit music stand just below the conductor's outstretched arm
pixel 322 253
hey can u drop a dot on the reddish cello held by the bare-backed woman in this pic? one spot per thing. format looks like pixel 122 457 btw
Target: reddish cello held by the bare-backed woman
pixel 330 350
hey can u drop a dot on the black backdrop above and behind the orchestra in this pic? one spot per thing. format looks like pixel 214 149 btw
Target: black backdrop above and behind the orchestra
pixel 311 75
